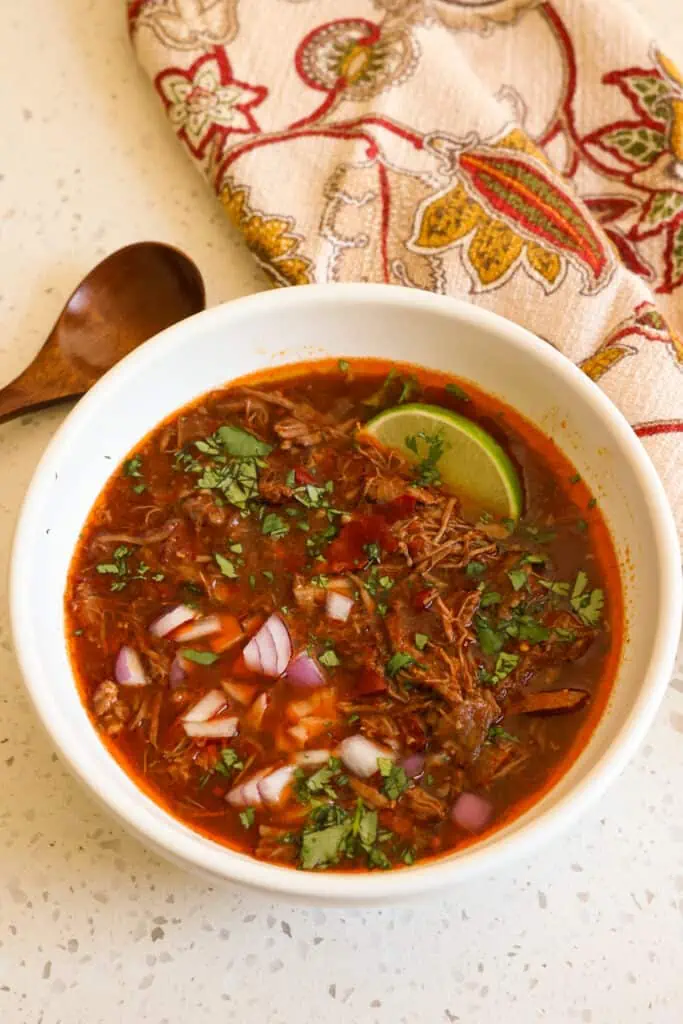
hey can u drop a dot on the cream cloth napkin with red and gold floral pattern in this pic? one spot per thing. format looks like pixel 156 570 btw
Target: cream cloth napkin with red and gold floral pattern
pixel 528 156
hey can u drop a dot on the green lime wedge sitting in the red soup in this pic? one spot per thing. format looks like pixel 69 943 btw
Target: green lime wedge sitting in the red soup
pixel 471 464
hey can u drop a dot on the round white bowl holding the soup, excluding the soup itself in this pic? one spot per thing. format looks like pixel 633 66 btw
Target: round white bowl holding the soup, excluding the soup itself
pixel 300 324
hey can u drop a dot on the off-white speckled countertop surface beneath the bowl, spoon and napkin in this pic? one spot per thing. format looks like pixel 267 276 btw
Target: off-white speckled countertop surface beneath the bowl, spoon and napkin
pixel 96 930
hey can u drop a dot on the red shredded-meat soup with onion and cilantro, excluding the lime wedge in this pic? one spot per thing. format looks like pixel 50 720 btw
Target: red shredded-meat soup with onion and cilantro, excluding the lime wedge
pixel 475 662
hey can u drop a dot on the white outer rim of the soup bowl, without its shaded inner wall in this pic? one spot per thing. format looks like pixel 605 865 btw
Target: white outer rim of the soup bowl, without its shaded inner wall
pixel 199 852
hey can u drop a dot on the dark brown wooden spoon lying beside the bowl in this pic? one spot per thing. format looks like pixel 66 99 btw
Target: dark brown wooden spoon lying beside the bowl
pixel 125 301
